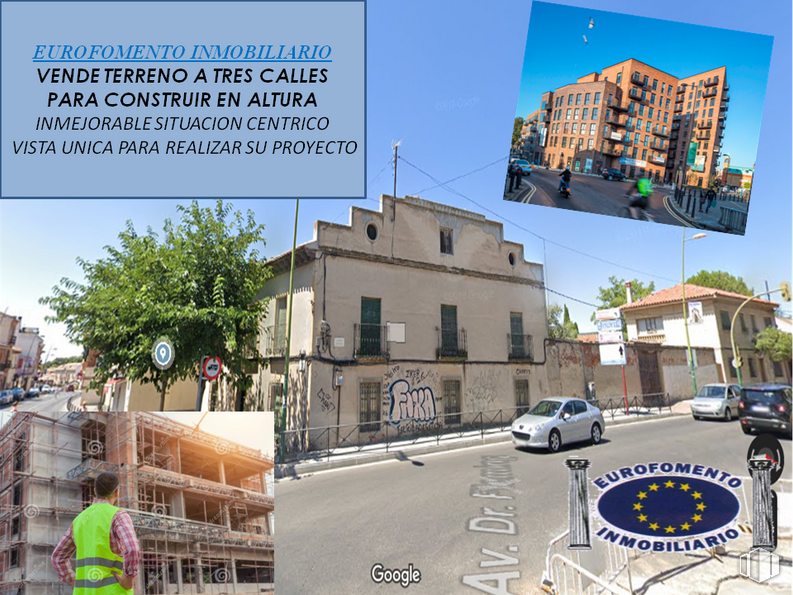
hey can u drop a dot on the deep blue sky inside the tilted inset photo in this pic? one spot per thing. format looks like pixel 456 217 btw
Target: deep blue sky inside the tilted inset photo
pixel 679 49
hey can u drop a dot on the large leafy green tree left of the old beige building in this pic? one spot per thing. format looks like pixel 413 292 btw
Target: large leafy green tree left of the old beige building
pixel 196 286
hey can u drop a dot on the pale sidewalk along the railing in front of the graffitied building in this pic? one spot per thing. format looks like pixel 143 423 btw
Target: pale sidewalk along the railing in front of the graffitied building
pixel 403 449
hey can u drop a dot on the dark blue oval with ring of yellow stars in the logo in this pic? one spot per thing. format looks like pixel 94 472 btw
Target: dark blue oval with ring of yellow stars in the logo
pixel 668 506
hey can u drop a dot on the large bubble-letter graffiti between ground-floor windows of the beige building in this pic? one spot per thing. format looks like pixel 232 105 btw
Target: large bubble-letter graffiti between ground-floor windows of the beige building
pixel 409 398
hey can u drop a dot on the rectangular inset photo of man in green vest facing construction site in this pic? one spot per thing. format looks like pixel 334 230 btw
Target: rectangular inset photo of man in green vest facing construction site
pixel 143 503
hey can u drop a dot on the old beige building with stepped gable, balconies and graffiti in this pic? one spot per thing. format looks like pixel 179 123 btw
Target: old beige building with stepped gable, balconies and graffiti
pixel 414 317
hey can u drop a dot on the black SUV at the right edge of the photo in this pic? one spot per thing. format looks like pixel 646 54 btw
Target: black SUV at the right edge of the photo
pixel 765 408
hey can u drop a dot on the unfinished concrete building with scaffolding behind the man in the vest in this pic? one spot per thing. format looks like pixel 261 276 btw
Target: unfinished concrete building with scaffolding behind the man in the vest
pixel 202 506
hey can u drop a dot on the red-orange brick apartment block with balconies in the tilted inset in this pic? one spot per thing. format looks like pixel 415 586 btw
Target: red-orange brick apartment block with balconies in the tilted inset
pixel 637 119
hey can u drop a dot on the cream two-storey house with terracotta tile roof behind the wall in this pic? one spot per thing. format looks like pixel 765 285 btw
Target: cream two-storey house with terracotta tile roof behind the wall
pixel 658 319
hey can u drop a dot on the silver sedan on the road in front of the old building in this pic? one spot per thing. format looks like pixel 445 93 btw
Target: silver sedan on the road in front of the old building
pixel 558 420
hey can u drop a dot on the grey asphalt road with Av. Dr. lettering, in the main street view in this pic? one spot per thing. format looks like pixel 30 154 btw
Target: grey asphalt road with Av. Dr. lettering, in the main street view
pixel 334 526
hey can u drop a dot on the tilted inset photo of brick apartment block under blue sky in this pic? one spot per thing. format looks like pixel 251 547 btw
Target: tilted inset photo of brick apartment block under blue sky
pixel 610 125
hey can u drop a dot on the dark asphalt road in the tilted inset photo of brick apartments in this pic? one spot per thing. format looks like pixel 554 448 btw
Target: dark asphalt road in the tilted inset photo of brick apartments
pixel 588 194
